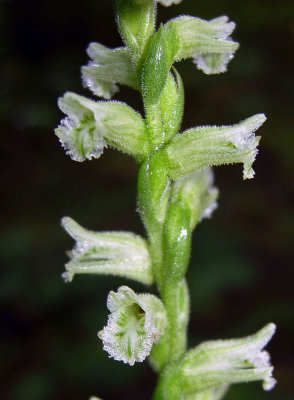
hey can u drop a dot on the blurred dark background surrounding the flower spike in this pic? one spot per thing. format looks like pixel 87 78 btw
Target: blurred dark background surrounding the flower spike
pixel 241 274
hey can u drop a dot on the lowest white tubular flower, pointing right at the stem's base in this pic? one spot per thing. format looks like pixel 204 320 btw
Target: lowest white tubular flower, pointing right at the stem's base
pixel 220 362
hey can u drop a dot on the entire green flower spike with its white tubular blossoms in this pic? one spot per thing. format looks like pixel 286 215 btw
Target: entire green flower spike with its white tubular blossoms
pixel 175 192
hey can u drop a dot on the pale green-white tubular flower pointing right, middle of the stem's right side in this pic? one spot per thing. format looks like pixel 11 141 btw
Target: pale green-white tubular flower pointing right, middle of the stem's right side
pixel 205 146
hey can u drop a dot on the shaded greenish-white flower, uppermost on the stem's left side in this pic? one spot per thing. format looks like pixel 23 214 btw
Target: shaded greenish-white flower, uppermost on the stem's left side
pixel 108 68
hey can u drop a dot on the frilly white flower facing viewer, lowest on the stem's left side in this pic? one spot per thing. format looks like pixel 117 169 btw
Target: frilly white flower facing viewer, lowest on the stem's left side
pixel 135 323
